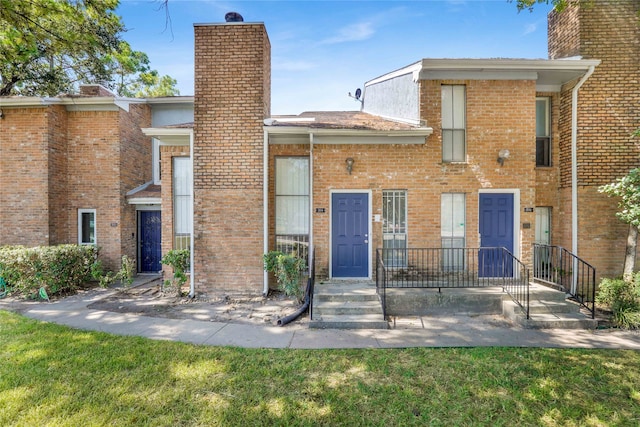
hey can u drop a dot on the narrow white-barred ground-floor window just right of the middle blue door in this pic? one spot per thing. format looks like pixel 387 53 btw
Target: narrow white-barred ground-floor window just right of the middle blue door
pixel 394 227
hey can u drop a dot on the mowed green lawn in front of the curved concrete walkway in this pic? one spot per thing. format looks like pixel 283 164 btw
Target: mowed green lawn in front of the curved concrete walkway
pixel 51 375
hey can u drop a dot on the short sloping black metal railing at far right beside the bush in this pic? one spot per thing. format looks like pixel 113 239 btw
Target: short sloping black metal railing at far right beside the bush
pixel 555 266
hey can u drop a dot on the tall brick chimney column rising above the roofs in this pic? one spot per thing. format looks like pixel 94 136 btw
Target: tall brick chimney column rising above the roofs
pixel 232 99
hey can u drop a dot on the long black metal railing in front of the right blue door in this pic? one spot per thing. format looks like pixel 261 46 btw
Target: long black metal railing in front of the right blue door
pixel 452 268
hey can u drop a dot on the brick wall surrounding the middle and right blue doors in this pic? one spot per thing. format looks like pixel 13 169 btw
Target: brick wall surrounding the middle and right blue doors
pixel 501 115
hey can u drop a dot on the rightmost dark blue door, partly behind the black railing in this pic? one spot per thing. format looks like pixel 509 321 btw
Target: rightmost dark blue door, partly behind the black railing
pixel 496 231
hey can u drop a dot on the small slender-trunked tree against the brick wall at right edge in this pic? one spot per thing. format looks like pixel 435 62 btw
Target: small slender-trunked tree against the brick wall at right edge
pixel 627 189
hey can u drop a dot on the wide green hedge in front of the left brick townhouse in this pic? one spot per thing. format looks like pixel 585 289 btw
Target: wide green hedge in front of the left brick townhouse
pixel 58 269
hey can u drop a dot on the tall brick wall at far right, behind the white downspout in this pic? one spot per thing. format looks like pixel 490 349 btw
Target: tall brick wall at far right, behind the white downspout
pixel 608 113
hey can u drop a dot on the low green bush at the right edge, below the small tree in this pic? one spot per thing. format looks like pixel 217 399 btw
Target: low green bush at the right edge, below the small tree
pixel 624 300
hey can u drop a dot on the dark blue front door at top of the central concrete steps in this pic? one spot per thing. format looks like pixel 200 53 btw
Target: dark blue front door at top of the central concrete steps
pixel 350 238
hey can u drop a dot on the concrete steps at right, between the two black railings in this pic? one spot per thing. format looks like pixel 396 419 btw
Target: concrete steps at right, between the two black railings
pixel 556 320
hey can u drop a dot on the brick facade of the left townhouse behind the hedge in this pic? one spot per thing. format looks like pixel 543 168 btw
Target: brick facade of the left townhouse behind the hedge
pixel 74 154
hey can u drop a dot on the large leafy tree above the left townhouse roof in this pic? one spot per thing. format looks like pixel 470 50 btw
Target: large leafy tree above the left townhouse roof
pixel 48 47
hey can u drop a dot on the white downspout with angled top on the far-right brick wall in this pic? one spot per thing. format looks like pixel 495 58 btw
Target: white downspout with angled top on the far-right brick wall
pixel 574 168
